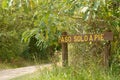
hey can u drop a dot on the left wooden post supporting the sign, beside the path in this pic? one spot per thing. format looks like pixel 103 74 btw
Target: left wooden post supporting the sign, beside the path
pixel 64 52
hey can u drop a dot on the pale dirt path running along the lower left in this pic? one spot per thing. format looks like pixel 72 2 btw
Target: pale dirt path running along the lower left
pixel 12 73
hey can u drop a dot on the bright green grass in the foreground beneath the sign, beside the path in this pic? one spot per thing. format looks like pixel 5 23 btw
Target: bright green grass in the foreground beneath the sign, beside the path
pixel 70 73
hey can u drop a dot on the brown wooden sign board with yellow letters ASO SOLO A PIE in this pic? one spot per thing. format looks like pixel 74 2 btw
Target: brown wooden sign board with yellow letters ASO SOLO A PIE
pixel 86 37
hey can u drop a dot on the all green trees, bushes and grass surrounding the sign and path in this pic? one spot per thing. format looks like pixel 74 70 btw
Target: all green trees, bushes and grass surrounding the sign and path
pixel 30 29
